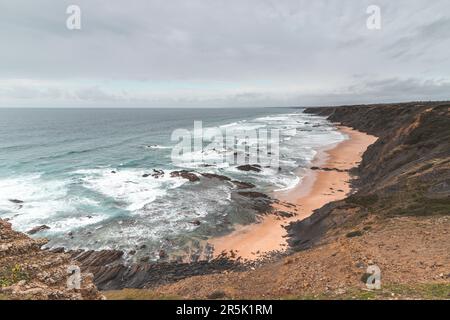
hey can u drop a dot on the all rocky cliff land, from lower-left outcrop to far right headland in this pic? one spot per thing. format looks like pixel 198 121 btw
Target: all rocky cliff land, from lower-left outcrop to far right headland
pixel 397 217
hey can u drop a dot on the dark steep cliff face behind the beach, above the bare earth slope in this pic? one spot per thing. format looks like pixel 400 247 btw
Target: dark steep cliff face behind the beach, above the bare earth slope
pixel 406 172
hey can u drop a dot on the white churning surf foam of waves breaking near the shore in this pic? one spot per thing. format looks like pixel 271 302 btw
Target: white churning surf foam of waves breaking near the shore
pixel 154 208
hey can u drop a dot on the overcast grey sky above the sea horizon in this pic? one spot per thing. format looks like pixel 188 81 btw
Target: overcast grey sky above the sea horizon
pixel 222 53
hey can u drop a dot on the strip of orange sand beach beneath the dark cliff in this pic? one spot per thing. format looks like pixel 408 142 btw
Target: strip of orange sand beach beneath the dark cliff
pixel 317 188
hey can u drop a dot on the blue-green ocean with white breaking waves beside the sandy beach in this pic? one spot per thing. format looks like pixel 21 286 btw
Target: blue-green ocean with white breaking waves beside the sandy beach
pixel 86 174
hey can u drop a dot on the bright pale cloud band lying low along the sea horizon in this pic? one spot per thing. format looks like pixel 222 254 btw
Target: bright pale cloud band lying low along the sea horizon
pixel 362 90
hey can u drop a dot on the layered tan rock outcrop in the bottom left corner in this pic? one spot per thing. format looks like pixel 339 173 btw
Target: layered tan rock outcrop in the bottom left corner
pixel 28 272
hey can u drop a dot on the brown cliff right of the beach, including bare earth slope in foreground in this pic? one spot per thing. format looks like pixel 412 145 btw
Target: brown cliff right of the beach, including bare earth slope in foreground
pixel 397 218
